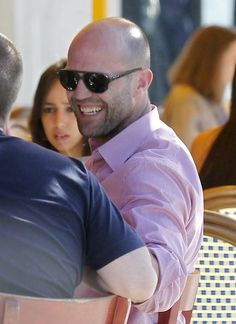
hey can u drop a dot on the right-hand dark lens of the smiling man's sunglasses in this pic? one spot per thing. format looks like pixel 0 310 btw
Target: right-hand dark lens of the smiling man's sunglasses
pixel 96 82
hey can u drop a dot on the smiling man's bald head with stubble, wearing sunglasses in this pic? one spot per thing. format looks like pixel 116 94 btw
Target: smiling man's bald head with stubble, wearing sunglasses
pixel 118 50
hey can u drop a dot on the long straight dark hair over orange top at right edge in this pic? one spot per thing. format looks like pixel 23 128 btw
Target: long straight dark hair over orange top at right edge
pixel 219 166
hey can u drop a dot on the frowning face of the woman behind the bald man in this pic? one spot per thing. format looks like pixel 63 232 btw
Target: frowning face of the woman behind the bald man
pixel 59 122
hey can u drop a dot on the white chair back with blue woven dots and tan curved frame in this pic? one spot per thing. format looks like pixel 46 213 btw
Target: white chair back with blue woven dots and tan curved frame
pixel 216 297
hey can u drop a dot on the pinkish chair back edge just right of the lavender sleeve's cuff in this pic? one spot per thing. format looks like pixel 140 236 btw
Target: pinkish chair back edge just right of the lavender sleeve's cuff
pixel 184 304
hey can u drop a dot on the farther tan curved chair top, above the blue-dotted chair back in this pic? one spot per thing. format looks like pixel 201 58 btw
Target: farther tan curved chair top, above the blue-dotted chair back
pixel 222 198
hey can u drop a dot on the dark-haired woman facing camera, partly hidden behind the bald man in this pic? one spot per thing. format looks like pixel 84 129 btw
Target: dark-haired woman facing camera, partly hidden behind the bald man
pixel 52 122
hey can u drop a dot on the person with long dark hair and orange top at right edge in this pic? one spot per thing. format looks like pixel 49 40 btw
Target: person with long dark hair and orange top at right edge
pixel 214 151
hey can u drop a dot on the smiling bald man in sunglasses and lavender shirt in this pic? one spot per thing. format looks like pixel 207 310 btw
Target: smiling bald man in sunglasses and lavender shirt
pixel 143 166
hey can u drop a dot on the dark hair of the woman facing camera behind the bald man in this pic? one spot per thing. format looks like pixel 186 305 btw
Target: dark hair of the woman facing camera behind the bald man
pixel 46 81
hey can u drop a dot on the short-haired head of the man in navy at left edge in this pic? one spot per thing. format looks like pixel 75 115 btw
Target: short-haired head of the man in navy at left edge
pixel 10 75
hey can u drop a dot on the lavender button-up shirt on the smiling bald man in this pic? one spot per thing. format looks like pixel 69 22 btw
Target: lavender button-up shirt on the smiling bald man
pixel 150 175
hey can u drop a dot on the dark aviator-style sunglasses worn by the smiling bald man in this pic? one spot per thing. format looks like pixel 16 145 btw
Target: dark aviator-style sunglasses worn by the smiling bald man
pixel 94 81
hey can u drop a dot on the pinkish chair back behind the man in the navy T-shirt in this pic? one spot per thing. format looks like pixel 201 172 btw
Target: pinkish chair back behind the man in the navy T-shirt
pixel 16 309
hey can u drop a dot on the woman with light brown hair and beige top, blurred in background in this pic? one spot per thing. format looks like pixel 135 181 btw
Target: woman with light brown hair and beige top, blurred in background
pixel 198 79
